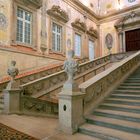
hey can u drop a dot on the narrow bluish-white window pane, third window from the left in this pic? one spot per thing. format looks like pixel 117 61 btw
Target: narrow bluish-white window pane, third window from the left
pixel 77 47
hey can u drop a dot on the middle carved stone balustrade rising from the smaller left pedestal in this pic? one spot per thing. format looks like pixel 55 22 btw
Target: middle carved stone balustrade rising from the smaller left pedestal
pixel 42 86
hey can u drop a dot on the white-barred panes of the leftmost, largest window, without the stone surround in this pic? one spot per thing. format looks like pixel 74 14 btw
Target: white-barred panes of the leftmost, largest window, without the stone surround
pixel 24 25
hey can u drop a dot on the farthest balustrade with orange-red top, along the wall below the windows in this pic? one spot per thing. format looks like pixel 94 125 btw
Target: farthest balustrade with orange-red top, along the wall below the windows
pixel 36 74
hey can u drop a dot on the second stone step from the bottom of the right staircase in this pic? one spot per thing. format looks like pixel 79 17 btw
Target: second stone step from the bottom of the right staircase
pixel 122 125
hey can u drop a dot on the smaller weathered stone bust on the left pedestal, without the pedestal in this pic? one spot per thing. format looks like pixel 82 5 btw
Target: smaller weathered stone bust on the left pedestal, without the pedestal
pixel 12 72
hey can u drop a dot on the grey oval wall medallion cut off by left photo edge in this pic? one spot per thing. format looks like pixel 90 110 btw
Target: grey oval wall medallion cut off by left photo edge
pixel 3 21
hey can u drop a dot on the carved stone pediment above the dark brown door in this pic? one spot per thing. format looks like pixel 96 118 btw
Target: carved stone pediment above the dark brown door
pixel 129 20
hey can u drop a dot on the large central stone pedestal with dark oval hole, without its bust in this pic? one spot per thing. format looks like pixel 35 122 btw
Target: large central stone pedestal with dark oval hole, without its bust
pixel 70 109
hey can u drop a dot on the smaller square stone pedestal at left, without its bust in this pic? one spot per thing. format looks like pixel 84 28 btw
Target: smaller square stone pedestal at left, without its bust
pixel 12 101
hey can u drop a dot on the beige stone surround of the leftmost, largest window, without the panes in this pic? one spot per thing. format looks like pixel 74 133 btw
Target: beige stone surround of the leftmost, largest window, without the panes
pixel 34 27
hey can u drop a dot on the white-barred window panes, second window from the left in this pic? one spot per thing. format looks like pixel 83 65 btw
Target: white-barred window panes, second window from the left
pixel 56 37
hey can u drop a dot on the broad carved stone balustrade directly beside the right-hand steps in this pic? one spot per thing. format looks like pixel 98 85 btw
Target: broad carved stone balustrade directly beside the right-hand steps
pixel 100 86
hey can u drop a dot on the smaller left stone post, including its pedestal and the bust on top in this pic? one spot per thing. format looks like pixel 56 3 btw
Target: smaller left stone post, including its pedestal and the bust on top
pixel 12 92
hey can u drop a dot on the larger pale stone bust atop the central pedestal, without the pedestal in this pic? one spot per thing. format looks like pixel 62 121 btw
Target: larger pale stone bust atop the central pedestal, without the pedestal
pixel 70 66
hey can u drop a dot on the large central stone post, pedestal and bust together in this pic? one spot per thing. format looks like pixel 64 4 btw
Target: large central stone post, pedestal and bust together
pixel 70 99
